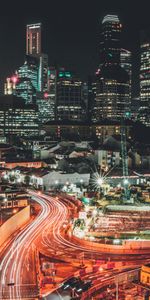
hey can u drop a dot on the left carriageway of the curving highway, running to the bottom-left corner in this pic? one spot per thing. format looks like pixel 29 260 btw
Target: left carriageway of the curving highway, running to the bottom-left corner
pixel 17 265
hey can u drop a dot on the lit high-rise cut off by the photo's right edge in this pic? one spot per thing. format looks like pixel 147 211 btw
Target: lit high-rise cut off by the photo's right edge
pixel 145 78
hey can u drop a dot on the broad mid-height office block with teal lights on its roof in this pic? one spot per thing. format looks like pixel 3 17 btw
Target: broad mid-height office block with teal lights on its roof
pixel 69 104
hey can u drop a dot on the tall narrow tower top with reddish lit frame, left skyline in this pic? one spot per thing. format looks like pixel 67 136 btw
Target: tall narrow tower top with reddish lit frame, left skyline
pixel 33 39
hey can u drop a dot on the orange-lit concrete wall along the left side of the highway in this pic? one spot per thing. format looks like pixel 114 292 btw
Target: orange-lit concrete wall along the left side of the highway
pixel 14 223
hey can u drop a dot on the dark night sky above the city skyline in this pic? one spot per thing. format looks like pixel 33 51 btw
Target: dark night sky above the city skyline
pixel 70 30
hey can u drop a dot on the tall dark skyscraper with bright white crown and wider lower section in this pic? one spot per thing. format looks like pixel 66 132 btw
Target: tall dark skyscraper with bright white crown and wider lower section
pixel 112 91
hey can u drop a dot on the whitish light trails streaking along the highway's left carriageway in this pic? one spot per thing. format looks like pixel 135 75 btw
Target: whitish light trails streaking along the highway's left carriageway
pixel 12 263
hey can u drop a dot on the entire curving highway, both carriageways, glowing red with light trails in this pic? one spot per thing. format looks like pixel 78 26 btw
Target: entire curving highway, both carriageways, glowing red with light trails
pixel 19 263
